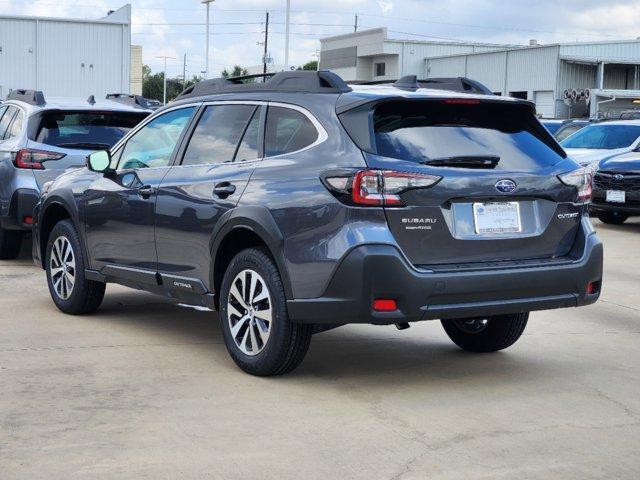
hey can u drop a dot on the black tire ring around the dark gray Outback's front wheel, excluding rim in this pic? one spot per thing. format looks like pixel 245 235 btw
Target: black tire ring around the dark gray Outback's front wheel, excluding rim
pixel 76 300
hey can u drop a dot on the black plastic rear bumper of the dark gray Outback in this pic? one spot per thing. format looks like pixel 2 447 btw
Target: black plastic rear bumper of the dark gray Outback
pixel 380 271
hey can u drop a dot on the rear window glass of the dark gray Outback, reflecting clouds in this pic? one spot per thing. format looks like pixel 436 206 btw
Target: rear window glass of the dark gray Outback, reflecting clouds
pixel 426 131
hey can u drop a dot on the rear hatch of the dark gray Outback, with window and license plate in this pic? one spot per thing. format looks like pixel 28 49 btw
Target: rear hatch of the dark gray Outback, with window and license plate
pixel 499 198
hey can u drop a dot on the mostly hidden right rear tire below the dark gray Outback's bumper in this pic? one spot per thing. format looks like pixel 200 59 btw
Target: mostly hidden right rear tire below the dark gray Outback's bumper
pixel 486 334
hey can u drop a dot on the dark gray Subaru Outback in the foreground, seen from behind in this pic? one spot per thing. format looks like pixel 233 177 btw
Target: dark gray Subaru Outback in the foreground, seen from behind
pixel 301 204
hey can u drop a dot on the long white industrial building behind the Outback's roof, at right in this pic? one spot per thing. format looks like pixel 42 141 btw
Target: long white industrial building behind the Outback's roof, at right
pixel 564 80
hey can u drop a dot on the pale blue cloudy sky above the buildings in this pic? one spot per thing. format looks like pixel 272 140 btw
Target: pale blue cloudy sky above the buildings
pixel 165 27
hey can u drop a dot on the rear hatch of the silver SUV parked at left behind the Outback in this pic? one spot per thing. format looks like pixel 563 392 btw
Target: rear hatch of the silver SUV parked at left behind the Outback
pixel 62 139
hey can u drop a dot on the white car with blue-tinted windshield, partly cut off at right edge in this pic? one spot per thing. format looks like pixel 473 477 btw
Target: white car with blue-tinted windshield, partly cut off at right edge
pixel 599 141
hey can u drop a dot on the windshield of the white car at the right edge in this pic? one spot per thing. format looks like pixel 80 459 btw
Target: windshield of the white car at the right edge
pixel 603 136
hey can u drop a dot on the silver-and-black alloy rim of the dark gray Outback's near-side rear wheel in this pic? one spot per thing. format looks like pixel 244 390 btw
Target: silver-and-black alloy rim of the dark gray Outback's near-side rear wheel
pixel 250 330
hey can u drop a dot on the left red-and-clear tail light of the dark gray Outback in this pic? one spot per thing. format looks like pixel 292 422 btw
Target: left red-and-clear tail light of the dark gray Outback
pixel 376 187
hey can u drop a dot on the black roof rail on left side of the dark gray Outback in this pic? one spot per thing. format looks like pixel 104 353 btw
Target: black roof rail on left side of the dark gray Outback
pixel 322 81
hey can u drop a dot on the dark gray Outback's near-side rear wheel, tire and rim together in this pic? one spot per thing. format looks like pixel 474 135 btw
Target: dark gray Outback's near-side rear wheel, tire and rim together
pixel 258 333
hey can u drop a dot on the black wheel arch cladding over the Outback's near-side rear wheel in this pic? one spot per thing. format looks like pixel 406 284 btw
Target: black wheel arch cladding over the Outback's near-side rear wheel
pixel 242 228
